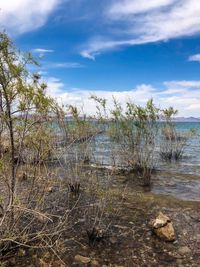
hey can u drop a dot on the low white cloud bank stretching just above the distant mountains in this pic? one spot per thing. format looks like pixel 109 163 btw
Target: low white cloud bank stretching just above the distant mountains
pixel 185 99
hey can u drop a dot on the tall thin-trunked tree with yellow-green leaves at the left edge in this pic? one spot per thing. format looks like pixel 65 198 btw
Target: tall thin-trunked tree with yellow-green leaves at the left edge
pixel 20 96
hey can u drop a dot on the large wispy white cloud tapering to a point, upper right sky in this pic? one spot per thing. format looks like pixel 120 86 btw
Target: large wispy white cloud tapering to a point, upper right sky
pixel 133 22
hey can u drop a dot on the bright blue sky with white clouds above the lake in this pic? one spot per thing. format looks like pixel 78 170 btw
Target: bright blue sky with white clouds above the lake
pixel 132 50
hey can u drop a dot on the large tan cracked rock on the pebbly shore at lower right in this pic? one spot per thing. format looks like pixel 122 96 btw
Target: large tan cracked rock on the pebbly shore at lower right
pixel 163 227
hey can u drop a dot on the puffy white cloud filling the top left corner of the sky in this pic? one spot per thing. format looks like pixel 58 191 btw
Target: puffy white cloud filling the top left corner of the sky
pixel 19 16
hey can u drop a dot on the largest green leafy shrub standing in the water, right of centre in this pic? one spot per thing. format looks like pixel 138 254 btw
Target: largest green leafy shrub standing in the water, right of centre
pixel 135 130
